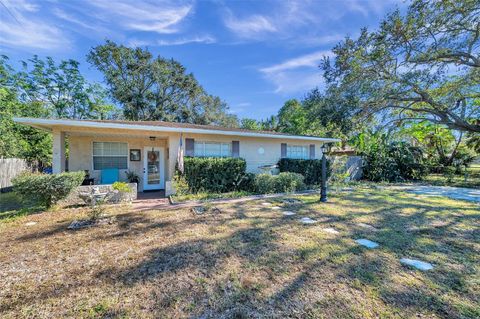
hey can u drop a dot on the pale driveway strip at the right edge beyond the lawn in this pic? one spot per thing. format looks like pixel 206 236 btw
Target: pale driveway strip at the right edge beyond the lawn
pixel 469 194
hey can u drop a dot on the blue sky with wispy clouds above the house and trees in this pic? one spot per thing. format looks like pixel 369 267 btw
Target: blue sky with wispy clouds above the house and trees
pixel 253 54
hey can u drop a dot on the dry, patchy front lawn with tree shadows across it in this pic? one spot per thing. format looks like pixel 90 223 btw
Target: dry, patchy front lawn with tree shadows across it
pixel 247 261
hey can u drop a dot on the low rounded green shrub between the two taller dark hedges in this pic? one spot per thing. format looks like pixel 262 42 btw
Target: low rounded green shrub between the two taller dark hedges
pixel 282 183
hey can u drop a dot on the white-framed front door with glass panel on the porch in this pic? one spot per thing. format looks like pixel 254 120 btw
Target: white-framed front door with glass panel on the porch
pixel 153 168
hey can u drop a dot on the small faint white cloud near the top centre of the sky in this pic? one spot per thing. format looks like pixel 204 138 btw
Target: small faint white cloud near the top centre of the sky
pixel 249 27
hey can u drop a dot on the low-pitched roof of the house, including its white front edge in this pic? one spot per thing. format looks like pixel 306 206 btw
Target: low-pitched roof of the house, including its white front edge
pixel 160 126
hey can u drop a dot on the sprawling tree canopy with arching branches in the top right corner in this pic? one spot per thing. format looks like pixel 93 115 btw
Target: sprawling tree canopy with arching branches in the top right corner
pixel 421 65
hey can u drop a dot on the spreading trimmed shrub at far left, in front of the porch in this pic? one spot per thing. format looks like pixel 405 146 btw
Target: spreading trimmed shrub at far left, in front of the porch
pixel 47 189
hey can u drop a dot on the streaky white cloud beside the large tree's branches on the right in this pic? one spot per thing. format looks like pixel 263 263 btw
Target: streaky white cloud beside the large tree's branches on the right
pixel 297 74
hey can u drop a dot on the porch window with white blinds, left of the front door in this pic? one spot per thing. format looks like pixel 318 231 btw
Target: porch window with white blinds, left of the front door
pixel 110 155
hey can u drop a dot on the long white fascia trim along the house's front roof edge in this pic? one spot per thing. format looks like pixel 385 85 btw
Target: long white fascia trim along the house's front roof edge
pixel 151 128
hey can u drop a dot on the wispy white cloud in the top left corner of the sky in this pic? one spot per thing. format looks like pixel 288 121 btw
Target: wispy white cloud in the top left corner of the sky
pixel 21 27
